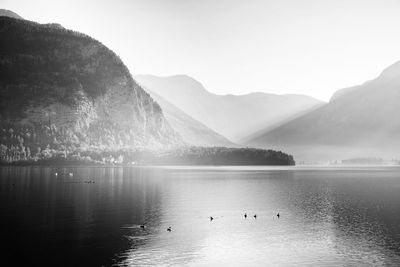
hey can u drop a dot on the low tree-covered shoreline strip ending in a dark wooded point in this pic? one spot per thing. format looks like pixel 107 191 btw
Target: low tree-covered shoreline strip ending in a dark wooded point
pixel 17 155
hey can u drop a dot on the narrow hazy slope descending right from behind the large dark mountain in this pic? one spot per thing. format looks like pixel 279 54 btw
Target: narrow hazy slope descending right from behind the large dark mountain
pixel 192 131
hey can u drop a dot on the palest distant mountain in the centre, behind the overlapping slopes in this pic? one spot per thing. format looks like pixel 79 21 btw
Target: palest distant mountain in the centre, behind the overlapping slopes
pixel 233 116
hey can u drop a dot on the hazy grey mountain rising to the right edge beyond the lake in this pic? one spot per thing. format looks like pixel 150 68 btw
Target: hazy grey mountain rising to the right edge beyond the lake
pixel 357 122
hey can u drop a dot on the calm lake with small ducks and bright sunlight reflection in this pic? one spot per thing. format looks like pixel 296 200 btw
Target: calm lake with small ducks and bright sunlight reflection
pixel 328 216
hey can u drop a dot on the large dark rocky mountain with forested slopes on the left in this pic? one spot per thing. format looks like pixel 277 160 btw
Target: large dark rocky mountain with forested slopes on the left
pixel 62 90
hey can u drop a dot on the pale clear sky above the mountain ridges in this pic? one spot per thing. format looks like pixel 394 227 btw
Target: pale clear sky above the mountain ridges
pixel 311 47
